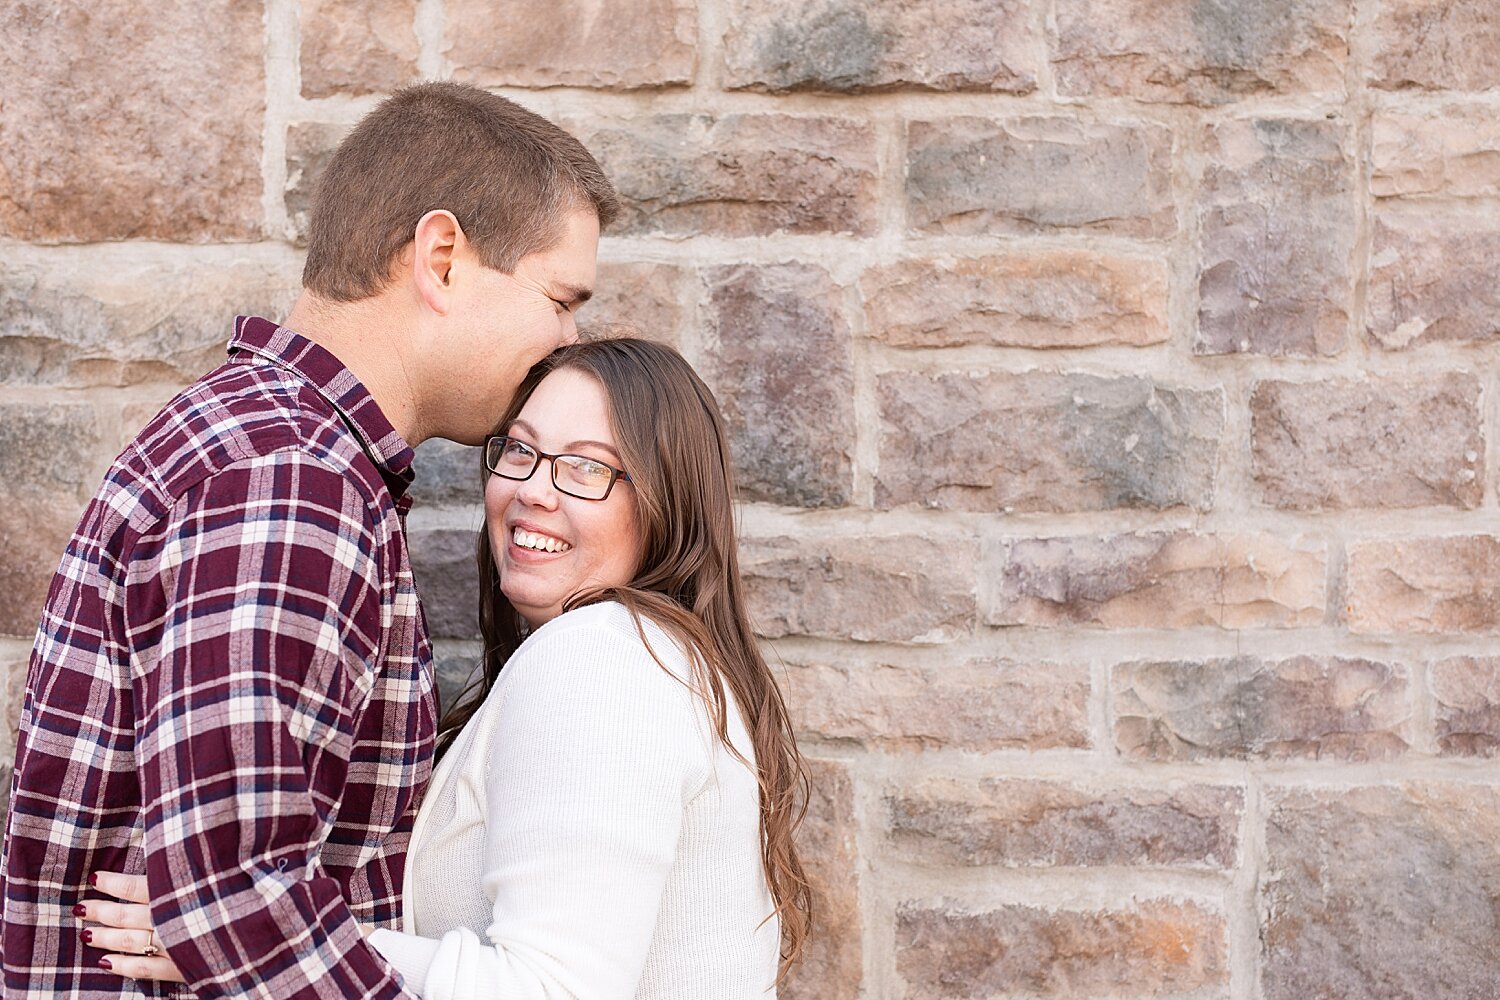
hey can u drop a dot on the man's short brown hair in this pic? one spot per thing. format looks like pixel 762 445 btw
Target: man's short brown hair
pixel 508 175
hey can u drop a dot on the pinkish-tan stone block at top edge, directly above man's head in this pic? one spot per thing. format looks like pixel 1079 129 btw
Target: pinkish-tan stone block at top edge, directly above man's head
pixel 572 43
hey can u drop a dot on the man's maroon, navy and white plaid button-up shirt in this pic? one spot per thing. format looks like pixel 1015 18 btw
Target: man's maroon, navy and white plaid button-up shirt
pixel 232 692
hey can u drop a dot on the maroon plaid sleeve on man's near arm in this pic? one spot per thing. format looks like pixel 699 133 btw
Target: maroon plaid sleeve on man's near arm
pixel 263 600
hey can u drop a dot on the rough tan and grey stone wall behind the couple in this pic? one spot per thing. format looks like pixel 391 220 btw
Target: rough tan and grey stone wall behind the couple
pixel 1114 392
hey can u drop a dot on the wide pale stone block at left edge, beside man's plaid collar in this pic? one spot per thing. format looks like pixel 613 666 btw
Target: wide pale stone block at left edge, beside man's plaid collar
pixel 109 317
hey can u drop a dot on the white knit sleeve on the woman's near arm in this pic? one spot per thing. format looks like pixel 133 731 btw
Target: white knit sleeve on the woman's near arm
pixel 595 750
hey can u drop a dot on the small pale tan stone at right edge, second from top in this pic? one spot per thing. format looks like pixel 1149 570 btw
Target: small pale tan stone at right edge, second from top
pixel 1453 152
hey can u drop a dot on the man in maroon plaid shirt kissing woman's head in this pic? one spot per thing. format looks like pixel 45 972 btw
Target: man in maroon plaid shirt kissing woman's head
pixel 232 680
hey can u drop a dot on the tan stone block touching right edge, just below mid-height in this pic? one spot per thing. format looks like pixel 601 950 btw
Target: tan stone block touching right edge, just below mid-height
pixel 1426 585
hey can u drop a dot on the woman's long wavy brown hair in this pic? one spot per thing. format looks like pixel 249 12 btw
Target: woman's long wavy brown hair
pixel 671 439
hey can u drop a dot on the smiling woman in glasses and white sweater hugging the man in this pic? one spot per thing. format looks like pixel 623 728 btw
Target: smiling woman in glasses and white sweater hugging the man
pixel 614 804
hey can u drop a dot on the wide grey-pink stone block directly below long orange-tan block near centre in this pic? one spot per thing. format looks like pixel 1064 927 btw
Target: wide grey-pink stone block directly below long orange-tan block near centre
pixel 1046 443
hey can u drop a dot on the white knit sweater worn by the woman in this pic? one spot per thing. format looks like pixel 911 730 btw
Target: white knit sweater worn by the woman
pixel 589 837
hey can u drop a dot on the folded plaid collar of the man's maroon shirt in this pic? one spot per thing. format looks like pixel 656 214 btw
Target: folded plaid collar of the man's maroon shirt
pixel 347 395
